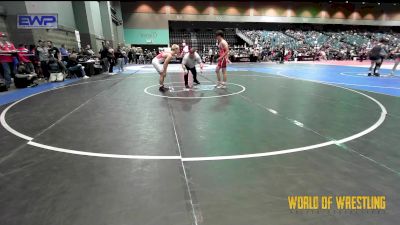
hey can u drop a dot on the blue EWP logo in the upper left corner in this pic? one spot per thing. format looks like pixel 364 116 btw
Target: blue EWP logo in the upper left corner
pixel 48 21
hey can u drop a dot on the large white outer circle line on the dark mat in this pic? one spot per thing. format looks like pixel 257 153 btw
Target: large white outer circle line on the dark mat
pixel 207 158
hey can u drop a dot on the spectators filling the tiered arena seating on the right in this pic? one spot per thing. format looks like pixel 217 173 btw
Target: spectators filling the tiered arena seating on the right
pixel 318 45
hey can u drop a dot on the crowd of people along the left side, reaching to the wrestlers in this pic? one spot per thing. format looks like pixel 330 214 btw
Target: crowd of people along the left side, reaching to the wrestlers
pixel 28 65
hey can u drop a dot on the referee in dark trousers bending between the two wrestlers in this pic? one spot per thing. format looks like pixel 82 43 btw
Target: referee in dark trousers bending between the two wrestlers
pixel 189 62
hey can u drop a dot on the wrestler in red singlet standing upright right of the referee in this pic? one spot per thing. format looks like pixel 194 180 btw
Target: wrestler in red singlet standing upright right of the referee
pixel 222 59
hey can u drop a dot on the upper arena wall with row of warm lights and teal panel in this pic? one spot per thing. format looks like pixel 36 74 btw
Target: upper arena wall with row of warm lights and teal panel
pixel 136 15
